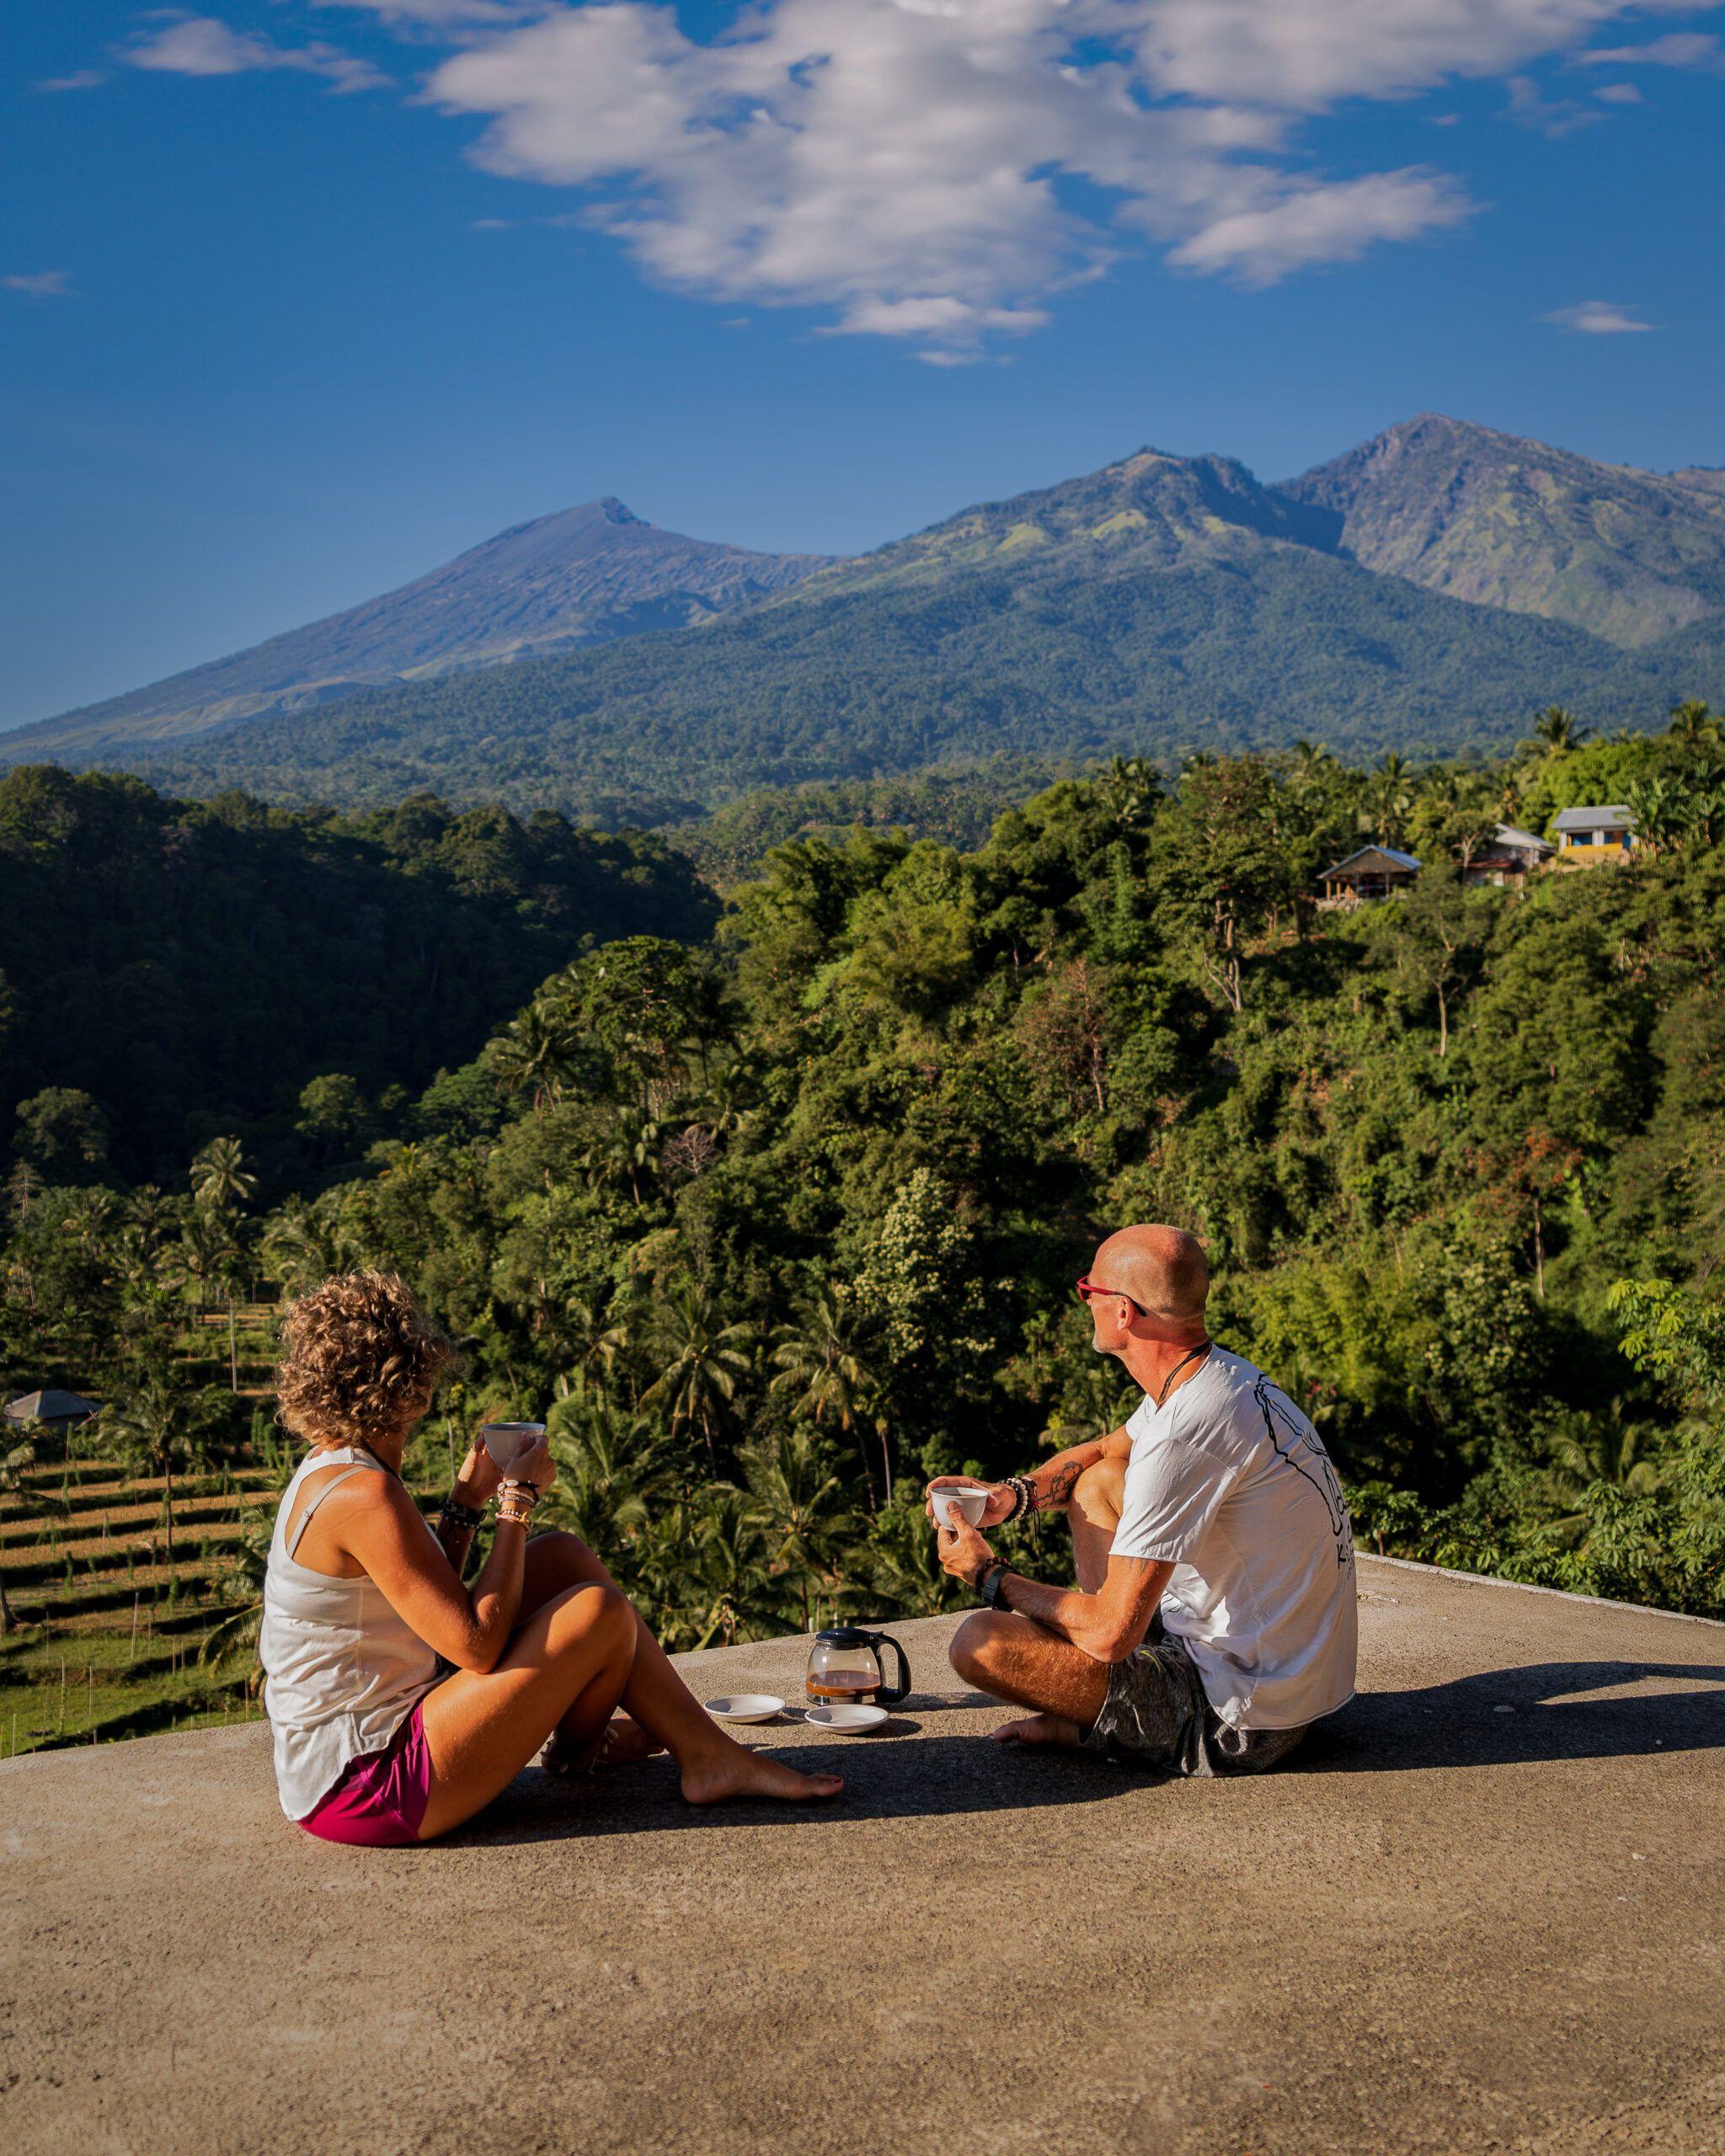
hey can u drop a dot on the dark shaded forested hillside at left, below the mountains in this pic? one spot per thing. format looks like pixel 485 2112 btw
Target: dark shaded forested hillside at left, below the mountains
pixel 176 971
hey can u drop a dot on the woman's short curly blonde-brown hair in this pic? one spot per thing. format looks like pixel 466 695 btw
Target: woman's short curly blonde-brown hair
pixel 361 1362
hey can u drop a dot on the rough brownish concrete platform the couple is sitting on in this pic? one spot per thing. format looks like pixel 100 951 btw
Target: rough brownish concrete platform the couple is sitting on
pixel 1485 1913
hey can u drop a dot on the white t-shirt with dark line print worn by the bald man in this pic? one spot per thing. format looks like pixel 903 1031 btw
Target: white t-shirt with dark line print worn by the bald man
pixel 1230 1482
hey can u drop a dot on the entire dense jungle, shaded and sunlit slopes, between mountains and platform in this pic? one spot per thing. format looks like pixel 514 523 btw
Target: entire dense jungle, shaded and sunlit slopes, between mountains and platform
pixel 777 1208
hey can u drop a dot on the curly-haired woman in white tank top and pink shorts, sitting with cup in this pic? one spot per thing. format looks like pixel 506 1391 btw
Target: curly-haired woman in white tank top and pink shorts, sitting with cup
pixel 404 1702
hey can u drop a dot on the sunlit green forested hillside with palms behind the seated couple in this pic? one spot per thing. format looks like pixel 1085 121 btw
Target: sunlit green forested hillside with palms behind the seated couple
pixel 782 1224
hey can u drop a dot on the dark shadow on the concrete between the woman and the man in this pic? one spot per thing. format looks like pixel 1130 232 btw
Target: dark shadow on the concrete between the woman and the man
pixel 887 1778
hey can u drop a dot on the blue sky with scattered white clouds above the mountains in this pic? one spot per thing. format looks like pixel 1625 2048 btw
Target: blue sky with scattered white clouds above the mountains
pixel 305 296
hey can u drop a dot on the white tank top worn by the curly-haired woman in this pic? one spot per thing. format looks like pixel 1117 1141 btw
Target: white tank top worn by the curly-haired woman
pixel 344 1668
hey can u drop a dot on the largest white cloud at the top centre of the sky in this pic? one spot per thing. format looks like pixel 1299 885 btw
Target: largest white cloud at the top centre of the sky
pixel 911 163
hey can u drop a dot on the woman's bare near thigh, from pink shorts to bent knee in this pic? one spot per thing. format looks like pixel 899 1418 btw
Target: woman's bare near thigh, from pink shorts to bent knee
pixel 564 1670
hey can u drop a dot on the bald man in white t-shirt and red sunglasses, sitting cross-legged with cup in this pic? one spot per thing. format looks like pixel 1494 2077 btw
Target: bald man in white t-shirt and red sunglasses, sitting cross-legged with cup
pixel 1215 1607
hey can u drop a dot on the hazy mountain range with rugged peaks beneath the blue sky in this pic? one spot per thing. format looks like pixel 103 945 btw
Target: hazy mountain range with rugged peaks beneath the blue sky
pixel 1424 592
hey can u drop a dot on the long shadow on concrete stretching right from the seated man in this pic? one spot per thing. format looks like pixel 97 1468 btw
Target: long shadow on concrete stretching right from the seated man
pixel 1510 1717
